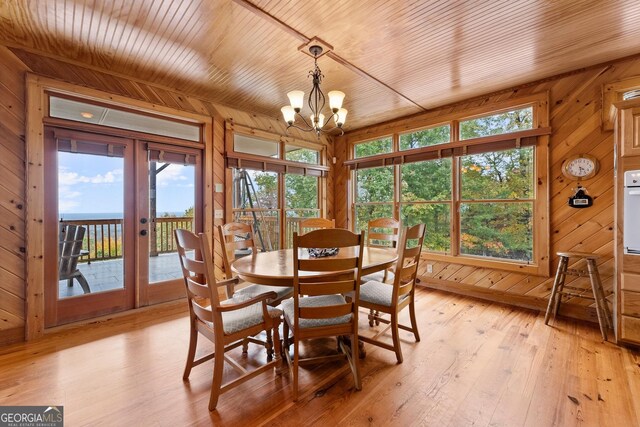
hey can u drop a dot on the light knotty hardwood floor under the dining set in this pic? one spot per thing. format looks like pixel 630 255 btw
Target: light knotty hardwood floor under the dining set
pixel 478 364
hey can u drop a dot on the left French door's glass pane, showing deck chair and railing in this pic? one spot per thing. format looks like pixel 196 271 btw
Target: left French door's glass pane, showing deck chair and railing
pixel 91 232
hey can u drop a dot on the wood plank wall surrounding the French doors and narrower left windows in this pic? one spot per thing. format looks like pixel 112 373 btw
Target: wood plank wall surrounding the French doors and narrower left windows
pixel 13 65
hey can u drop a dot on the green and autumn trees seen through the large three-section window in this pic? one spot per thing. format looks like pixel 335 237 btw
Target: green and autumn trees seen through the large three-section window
pixel 492 228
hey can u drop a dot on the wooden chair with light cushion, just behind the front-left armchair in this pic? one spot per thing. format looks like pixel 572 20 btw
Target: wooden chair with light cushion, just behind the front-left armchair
pixel 238 239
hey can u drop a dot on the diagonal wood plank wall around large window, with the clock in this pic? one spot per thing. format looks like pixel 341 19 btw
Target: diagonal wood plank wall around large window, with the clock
pixel 575 117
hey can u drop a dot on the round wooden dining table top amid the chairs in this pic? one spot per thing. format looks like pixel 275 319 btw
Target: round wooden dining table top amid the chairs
pixel 276 268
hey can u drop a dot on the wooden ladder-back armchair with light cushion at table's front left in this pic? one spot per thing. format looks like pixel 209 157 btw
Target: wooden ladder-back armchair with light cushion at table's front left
pixel 225 323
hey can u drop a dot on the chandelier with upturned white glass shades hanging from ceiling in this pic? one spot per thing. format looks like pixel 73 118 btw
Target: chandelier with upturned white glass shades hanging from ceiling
pixel 316 102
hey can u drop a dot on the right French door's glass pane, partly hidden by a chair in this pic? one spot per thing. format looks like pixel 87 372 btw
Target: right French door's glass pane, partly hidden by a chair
pixel 172 204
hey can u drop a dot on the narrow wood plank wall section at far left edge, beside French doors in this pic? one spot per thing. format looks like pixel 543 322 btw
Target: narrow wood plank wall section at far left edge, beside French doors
pixel 12 197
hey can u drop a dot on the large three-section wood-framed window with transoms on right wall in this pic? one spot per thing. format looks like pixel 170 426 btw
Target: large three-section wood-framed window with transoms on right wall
pixel 483 203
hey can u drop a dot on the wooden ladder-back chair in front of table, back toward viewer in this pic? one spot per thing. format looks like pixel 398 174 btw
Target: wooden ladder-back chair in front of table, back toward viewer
pixel 318 307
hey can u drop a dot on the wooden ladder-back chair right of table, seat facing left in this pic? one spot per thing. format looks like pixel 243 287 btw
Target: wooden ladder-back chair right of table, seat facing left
pixel 380 298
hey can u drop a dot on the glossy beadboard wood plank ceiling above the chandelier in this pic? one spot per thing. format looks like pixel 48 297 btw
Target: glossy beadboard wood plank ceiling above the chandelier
pixel 391 58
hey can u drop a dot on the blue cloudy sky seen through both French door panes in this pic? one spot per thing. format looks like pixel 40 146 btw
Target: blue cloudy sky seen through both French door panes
pixel 95 184
